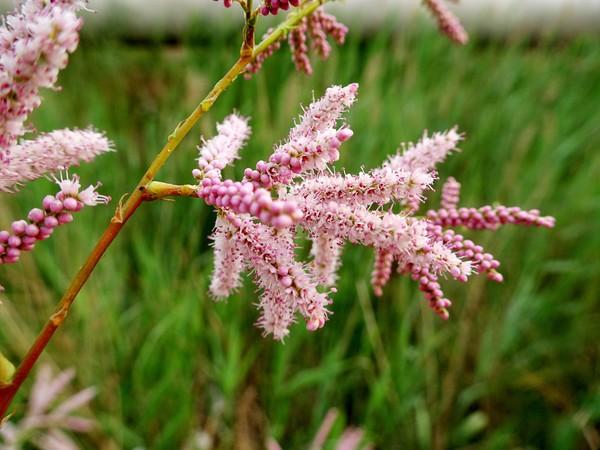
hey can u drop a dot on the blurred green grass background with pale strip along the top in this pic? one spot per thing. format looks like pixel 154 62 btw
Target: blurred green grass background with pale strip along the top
pixel 516 366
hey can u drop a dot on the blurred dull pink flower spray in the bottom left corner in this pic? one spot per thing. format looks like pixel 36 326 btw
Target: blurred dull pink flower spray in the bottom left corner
pixel 48 418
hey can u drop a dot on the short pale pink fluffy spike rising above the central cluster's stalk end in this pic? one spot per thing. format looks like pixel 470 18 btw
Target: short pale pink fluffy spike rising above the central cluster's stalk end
pixel 217 153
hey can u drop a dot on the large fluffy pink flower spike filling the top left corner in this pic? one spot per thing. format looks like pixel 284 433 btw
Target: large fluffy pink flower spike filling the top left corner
pixel 35 42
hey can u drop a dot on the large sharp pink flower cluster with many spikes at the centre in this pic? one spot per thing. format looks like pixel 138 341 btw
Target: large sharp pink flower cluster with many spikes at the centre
pixel 333 209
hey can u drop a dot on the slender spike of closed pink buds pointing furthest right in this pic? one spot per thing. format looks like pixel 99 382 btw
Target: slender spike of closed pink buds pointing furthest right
pixel 489 217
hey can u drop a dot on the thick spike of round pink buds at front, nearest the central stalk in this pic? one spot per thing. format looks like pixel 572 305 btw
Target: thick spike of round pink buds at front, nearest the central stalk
pixel 243 198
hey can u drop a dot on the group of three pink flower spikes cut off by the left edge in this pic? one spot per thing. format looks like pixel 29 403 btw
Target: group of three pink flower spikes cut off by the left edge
pixel 35 42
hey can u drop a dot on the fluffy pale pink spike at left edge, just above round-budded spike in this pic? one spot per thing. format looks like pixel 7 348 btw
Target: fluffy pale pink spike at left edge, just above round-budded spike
pixel 48 153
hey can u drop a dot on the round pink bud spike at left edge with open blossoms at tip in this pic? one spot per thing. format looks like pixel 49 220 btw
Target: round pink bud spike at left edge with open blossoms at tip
pixel 40 224
